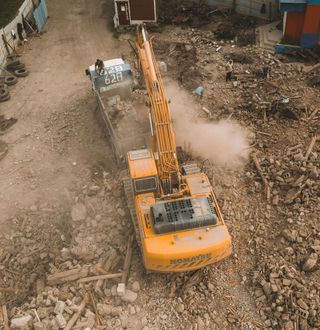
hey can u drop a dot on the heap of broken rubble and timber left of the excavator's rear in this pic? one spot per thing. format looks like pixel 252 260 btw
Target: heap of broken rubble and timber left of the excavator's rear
pixel 62 282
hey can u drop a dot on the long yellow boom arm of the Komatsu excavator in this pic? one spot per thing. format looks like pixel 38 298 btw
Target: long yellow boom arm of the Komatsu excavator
pixel 164 141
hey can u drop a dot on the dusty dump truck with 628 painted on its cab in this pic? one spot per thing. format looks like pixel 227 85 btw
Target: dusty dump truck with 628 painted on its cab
pixel 122 111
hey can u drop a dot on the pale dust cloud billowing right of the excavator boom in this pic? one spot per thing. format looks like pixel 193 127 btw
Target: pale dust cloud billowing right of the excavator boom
pixel 224 143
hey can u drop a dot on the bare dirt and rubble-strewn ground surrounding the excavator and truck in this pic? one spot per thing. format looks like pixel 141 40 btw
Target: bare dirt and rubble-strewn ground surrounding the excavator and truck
pixel 62 205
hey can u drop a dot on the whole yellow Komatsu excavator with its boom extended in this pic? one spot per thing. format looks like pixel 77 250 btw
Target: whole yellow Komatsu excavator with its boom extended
pixel 177 219
